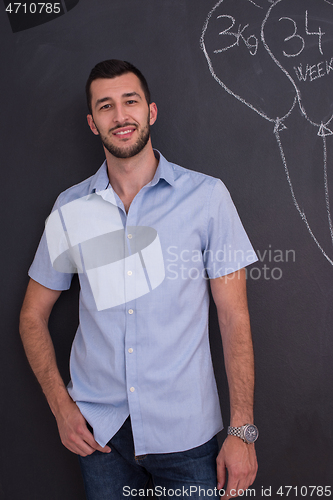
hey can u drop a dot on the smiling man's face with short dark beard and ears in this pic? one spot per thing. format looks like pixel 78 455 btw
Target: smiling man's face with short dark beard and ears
pixel 121 115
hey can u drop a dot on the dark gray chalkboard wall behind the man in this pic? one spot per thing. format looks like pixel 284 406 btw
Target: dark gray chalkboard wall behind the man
pixel 219 121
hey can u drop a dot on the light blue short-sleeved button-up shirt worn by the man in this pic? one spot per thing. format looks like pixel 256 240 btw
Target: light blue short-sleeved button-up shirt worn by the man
pixel 142 347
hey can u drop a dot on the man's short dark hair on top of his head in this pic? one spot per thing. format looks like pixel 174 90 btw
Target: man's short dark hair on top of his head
pixel 110 69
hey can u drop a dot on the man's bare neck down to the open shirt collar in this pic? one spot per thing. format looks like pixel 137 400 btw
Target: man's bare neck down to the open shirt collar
pixel 128 175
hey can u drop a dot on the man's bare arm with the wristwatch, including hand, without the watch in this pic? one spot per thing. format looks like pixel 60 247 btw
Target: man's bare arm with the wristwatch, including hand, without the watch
pixel 239 458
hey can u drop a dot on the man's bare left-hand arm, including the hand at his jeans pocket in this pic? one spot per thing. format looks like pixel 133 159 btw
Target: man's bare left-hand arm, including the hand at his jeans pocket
pixel 36 309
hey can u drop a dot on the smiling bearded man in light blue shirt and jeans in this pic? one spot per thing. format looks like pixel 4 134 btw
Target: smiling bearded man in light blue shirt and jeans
pixel 146 236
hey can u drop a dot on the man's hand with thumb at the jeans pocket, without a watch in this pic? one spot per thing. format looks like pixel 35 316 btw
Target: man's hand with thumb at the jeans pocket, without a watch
pixel 74 433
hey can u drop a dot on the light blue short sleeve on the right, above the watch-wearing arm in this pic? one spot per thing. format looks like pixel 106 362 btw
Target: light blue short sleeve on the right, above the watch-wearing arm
pixel 228 247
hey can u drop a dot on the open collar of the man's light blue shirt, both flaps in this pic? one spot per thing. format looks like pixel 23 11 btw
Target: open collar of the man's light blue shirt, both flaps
pixel 165 170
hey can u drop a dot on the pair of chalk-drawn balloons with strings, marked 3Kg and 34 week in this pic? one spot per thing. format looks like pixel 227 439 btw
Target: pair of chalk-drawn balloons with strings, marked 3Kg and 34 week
pixel 275 64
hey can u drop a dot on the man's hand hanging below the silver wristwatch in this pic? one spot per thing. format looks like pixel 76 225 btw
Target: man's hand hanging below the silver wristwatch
pixel 240 460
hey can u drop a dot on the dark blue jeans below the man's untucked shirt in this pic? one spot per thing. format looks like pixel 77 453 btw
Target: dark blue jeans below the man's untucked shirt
pixel 120 474
